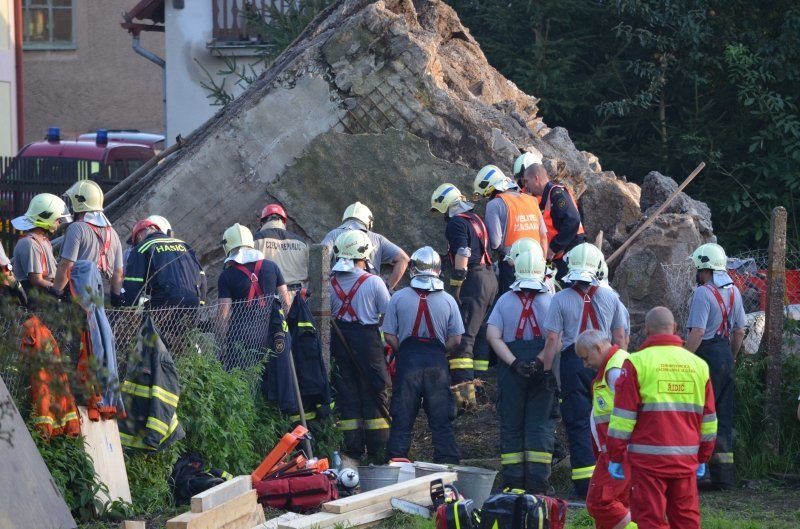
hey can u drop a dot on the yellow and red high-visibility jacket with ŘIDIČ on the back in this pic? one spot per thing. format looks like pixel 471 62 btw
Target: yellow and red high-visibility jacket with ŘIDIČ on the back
pixel 665 430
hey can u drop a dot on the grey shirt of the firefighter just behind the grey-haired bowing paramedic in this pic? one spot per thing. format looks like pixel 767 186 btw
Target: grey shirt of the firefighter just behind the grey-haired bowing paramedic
pixel 566 309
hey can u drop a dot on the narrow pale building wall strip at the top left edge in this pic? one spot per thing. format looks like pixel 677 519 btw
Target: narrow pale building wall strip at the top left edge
pixel 8 89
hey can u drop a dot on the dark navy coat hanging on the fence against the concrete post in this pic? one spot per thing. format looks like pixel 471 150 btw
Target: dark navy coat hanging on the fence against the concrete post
pixel 312 376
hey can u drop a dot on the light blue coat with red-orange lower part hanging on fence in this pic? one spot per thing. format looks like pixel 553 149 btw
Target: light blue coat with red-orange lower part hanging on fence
pixel 97 361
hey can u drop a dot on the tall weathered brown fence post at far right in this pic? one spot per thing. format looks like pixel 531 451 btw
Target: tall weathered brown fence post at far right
pixel 773 326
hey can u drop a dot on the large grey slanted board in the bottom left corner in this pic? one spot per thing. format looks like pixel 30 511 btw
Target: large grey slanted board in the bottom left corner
pixel 28 495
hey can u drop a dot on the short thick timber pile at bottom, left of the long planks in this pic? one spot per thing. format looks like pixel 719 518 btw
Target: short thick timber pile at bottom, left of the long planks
pixel 230 505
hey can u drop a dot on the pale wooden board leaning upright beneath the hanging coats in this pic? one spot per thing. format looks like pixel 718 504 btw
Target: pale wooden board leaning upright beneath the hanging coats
pixel 105 449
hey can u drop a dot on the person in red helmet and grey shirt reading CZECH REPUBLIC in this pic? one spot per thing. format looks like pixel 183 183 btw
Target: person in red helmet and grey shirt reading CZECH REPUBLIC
pixel 285 248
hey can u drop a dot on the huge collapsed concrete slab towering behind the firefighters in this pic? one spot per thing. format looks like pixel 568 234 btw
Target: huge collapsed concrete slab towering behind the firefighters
pixel 377 101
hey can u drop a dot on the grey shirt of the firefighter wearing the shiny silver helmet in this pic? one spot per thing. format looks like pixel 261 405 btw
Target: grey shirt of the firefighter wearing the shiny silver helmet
pixel 402 313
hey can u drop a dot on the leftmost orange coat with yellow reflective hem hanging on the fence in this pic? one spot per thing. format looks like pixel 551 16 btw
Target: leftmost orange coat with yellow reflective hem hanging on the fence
pixel 55 412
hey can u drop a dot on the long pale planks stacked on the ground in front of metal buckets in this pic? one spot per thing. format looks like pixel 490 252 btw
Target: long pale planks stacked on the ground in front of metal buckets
pixel 368 507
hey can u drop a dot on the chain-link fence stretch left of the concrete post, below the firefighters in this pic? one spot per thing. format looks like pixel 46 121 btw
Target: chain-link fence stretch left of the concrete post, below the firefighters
pixel 237 334
